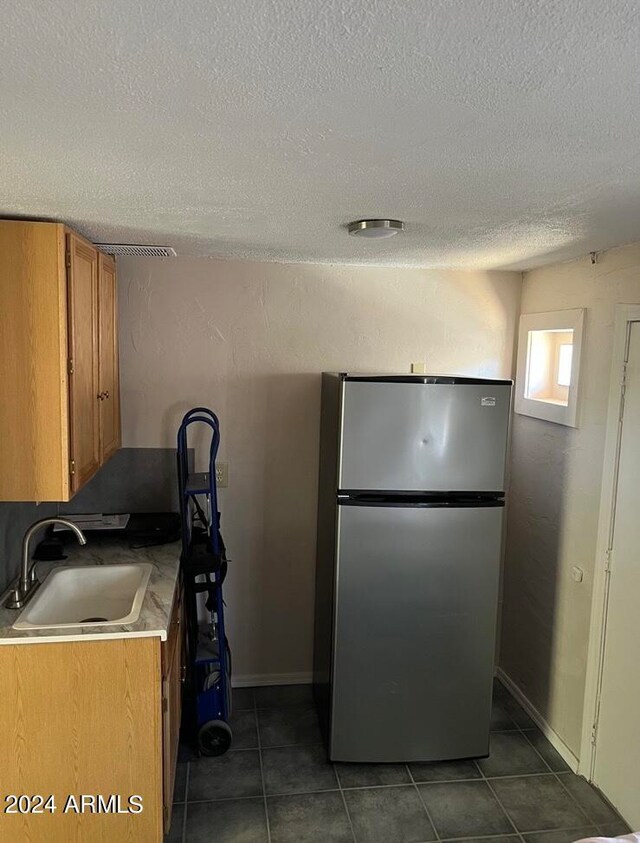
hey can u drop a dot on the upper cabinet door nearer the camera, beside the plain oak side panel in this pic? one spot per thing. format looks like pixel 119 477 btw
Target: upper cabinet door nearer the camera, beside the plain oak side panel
pixel 82 292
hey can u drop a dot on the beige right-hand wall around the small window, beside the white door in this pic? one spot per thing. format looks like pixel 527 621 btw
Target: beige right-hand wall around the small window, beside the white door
pixel 555 494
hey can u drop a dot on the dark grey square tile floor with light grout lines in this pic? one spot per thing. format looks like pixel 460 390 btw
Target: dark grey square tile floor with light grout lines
pixel 276 786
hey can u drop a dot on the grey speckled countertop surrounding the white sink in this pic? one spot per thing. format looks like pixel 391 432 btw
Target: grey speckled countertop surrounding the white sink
pixel 156 607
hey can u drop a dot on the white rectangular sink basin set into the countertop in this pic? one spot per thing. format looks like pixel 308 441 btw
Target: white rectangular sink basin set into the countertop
pixel 89 595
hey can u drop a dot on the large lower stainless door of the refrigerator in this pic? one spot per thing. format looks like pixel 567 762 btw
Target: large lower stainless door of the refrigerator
pixel 414 632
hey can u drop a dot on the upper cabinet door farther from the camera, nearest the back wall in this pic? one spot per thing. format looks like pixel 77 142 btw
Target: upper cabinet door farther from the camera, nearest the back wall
pixel 109 391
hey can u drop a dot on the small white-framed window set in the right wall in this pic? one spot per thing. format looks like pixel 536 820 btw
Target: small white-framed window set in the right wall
pixel 548 364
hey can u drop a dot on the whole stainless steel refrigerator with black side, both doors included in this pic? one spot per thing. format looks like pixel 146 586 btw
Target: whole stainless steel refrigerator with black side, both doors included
pixel 410 514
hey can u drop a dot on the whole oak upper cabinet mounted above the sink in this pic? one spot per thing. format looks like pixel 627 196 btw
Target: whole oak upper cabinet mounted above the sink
pixel 58 346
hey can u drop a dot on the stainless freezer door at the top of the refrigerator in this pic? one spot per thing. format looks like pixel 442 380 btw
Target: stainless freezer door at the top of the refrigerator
pixel 424 437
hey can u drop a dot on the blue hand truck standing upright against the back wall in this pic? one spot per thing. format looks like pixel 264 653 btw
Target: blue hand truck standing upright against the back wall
pixel 204 567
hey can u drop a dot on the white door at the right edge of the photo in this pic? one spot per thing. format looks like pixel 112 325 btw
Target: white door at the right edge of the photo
pixel 617 759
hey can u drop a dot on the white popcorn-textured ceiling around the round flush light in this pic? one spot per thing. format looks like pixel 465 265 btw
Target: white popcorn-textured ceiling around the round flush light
pixel 506 133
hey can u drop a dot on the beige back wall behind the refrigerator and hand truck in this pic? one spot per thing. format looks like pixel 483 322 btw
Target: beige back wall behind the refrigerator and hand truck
pixel 250 340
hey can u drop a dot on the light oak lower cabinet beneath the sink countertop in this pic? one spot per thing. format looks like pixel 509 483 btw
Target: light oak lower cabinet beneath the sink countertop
pixel 91 724
